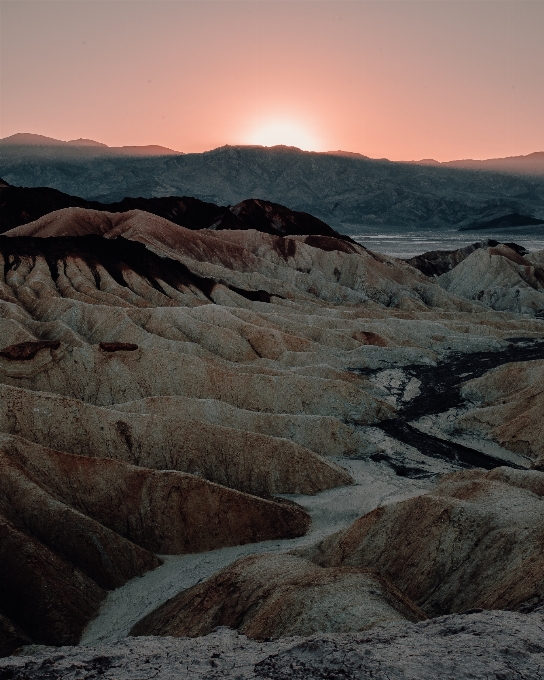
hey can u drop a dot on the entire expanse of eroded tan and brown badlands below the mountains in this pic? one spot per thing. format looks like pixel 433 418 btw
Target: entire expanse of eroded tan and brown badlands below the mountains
pixel 247 451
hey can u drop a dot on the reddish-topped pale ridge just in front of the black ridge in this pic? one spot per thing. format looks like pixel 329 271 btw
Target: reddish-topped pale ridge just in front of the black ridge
pixel 327 268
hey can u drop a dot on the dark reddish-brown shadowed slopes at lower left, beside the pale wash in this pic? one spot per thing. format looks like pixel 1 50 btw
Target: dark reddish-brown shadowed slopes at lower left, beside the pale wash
pixel 72 527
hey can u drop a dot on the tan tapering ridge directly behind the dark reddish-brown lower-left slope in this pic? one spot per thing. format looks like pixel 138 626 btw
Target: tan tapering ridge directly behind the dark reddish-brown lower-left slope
pixel 250 462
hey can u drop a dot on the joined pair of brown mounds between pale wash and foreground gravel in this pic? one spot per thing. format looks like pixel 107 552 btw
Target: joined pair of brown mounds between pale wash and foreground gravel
pixel 474 540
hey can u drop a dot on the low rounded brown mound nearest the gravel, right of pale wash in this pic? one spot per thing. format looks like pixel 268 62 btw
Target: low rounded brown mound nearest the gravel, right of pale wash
pixel 271 596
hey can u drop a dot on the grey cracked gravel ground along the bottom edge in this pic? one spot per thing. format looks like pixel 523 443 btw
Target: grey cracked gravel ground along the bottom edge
pixel 490 645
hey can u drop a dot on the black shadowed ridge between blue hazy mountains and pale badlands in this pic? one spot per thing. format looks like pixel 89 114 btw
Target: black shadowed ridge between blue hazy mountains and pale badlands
pixel 21 205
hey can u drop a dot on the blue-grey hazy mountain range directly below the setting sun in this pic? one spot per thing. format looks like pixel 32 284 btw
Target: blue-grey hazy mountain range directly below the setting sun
pixel 346 190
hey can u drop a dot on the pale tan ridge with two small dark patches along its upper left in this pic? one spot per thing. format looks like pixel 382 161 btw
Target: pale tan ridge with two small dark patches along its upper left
pixel 106 378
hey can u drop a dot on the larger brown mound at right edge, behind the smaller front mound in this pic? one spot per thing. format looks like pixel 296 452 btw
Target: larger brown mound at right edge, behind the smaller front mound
pixel 475 541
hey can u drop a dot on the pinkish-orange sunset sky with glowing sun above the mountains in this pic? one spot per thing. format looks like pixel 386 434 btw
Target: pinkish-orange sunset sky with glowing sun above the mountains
pixel 397 79
